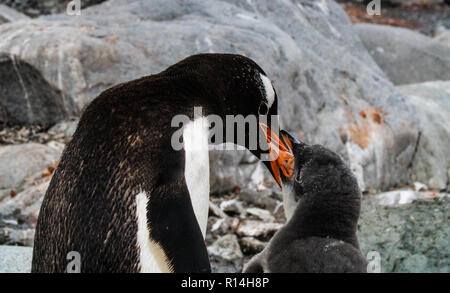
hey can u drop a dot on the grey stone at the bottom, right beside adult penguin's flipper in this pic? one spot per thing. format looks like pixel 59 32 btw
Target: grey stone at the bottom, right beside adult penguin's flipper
pixel 225 255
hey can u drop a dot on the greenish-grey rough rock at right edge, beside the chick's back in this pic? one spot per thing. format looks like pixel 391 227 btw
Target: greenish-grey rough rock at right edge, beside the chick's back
pixel 413 237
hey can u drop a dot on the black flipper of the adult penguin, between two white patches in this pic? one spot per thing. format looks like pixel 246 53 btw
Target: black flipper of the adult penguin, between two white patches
pixel 173 225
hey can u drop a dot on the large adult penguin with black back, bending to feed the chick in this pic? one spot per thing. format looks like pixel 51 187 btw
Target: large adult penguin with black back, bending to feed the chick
pixel 122 196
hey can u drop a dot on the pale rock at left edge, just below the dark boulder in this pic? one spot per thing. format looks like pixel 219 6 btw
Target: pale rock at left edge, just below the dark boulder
pixel 21 165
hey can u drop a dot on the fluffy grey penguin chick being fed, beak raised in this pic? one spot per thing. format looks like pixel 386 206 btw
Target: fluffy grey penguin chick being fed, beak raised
pixel 320 236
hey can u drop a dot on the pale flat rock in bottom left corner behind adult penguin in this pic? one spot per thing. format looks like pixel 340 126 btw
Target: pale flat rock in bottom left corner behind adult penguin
pixel 15 259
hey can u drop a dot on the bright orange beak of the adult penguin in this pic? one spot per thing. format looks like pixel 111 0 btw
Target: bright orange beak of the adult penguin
pixel 281 154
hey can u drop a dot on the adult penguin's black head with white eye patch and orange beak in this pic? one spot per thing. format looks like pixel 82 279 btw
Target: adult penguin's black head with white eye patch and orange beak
pixel 249 92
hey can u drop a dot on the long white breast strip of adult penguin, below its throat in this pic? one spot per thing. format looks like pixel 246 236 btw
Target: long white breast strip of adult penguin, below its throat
pixel 196 172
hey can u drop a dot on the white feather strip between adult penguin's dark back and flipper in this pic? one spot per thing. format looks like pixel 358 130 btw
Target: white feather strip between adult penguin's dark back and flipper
pixel 152 257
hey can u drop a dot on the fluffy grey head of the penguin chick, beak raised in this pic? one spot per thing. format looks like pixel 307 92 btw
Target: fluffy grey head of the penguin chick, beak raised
pixel 320 177
